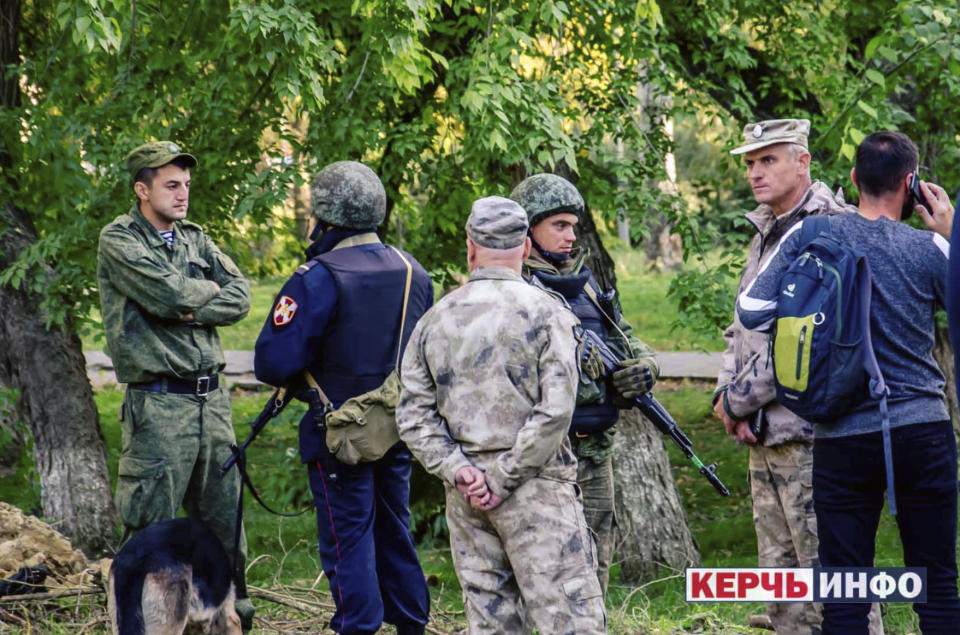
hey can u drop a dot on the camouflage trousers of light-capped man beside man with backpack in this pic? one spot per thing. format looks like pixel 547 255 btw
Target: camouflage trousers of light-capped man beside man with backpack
pixel 781 482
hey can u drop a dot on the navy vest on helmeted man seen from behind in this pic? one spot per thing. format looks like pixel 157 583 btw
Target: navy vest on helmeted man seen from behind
pixel 359 346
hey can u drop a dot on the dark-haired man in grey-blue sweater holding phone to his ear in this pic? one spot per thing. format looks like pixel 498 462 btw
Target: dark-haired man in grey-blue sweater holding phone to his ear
pixel 895 436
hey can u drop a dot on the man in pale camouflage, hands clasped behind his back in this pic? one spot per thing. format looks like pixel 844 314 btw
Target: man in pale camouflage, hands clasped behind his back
pixel 489 379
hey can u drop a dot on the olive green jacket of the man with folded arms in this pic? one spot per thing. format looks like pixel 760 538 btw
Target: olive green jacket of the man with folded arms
pixel 146 286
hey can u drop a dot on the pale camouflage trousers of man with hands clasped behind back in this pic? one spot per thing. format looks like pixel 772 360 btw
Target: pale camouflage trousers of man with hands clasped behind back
pixel 532 556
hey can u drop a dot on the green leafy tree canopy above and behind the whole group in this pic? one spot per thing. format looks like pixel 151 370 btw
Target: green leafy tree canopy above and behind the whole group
pixel 449 100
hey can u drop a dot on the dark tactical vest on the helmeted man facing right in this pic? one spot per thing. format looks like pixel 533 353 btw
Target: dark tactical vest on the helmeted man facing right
pixel 599 414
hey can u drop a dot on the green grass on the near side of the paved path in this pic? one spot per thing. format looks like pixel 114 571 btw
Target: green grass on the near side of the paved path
pixel 283 550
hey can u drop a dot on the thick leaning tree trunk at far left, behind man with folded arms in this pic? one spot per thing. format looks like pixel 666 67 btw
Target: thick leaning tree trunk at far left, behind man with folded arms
pixel 48 368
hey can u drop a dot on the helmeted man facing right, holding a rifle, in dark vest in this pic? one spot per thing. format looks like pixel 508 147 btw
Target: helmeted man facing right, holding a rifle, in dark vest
pixel 554 207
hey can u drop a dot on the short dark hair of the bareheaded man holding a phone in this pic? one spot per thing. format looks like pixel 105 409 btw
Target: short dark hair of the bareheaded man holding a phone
pixel 883 160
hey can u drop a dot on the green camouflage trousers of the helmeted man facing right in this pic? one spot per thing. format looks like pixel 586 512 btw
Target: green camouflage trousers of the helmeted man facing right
pixel 596 485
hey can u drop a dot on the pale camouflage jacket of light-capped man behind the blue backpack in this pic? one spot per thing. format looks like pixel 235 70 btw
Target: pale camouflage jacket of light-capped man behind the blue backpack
pixel 746 373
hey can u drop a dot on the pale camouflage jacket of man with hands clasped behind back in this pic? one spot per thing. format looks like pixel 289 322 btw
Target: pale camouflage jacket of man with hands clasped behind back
pixel 489 377
